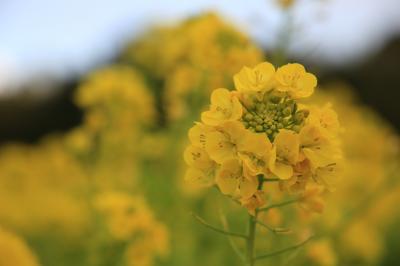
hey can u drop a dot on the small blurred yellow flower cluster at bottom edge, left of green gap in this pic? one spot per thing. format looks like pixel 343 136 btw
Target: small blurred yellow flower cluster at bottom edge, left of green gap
pixel 130 221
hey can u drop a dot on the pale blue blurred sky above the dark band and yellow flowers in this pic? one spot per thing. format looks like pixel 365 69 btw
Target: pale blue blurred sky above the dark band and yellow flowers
pixel 69 37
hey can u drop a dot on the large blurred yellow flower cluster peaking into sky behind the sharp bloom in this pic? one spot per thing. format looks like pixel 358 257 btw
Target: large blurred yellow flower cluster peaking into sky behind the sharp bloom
pixel 191 59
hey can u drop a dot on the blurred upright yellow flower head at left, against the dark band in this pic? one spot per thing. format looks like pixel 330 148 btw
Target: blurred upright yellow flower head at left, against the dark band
pixel 119 109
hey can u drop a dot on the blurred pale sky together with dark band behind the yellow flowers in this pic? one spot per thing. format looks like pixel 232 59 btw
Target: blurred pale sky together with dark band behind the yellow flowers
pixel 47 46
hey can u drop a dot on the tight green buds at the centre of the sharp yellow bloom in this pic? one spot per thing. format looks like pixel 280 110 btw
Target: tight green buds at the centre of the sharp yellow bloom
pixel 272 113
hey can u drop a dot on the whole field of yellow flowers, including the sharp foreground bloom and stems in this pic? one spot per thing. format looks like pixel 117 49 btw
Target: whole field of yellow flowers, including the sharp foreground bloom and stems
pixel 198 149
